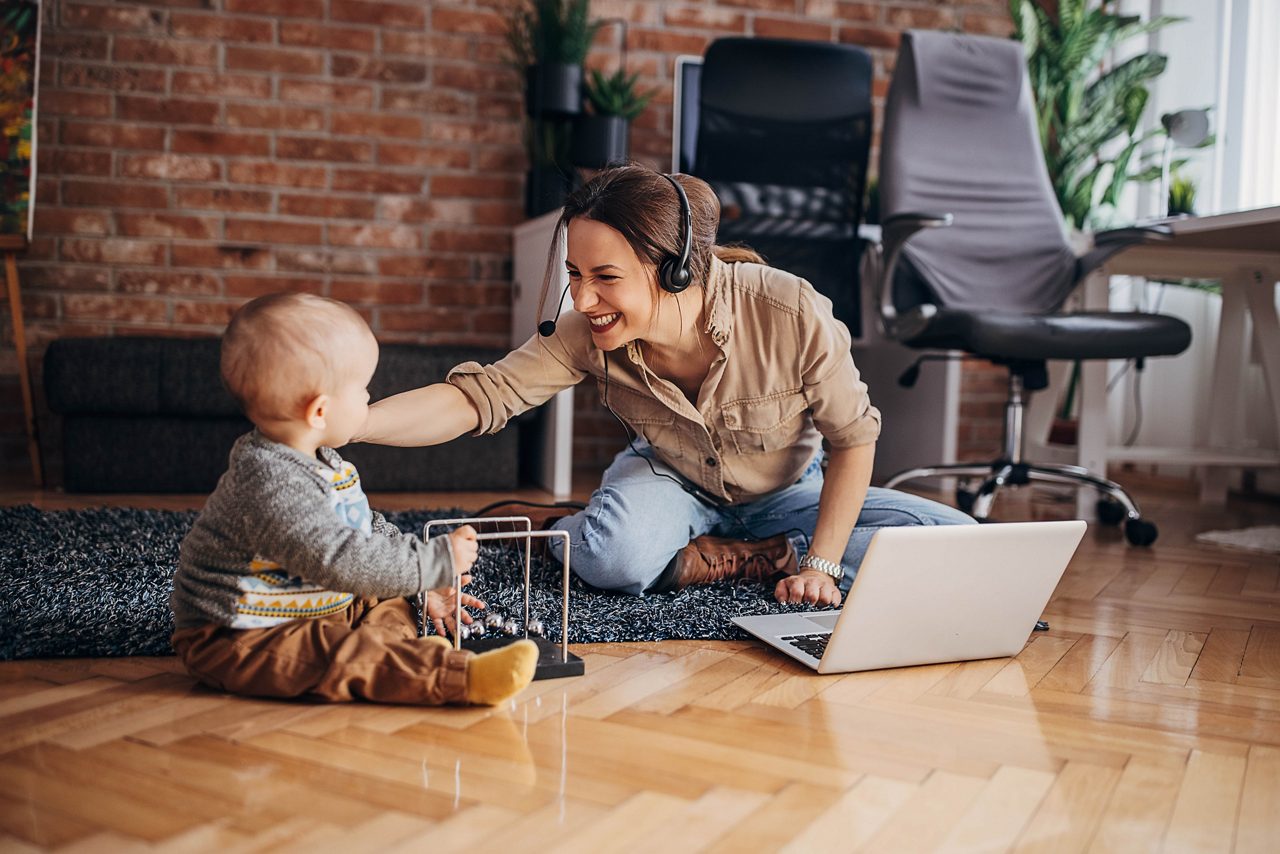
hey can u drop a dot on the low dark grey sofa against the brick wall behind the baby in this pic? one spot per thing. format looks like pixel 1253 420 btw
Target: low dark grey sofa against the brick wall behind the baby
pixel 152 415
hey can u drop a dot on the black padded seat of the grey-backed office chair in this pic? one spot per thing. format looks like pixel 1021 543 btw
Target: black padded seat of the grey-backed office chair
pixel 1089 335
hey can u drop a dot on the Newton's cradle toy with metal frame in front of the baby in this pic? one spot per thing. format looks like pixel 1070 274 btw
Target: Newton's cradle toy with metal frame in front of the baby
pixel 495 631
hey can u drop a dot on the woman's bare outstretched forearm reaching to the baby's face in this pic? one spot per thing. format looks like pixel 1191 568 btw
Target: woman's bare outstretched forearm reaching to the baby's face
pixel 428 415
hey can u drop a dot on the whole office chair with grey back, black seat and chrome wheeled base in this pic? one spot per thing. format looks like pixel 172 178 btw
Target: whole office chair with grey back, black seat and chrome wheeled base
pixel 975 257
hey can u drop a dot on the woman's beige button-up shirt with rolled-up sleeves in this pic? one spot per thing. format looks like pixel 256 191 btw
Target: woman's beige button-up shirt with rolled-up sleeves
pixel 784 378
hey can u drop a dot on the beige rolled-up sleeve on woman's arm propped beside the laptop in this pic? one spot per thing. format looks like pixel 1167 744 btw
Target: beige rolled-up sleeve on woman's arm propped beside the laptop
pixel 838 398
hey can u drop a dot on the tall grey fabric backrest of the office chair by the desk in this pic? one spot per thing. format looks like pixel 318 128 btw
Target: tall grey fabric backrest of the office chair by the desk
pixel 961 138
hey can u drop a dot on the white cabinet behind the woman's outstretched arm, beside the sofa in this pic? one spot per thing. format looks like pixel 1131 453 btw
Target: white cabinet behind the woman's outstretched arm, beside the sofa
pixel 555 435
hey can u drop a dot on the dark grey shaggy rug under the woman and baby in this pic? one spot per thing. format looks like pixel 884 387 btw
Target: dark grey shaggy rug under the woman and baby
pixel 92 583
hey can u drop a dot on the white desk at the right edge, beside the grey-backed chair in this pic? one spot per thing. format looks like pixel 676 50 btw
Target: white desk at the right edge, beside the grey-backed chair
pixel 1242 250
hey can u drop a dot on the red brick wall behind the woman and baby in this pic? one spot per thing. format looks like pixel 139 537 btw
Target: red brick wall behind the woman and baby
pixel 198 153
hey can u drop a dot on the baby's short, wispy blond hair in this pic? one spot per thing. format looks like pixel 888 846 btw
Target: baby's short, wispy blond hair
pixel 284 350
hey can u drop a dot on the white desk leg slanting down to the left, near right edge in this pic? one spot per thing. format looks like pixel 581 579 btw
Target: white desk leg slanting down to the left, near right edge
pixel 1226 396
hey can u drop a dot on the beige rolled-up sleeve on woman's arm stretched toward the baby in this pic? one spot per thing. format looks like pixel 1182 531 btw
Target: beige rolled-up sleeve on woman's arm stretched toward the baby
pixel 525 378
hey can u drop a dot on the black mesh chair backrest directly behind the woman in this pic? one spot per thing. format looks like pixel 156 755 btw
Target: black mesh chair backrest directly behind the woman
pixel 784 134
